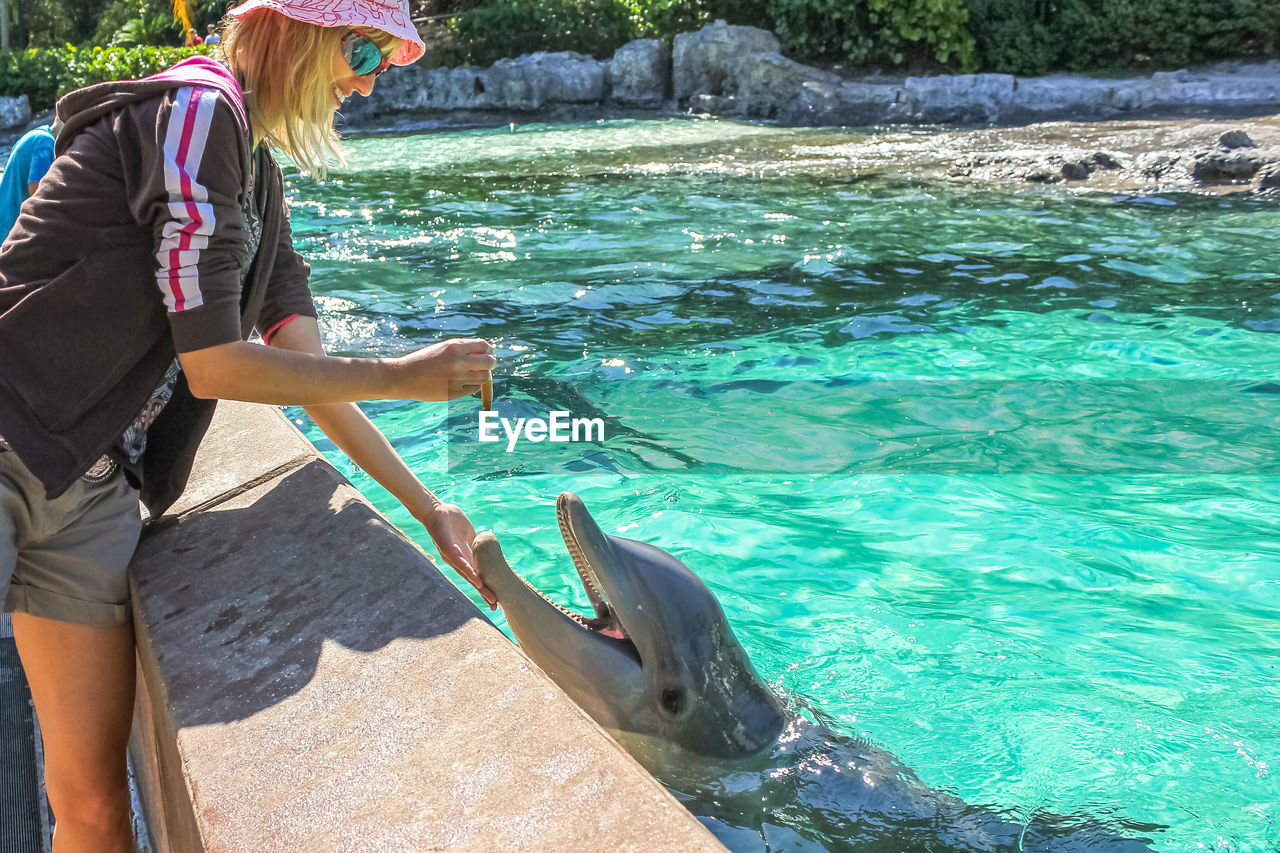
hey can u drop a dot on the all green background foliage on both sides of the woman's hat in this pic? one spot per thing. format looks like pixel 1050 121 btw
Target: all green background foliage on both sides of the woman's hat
pixel 1013 37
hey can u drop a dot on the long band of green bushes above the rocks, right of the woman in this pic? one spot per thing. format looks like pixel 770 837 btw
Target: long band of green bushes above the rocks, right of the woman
pixel 1013 37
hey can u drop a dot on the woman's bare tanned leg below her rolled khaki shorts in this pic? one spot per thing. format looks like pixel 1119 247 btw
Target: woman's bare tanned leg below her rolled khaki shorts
pixel 83 685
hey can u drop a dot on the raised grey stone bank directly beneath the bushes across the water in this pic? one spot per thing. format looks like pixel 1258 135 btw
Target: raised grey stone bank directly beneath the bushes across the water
pixel 739 72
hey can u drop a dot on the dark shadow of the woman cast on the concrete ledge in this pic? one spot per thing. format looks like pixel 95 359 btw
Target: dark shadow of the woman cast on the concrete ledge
pixel 248 592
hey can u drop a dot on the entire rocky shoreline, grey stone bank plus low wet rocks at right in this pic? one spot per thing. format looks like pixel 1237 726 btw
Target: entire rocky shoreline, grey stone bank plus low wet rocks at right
pixel 1213 130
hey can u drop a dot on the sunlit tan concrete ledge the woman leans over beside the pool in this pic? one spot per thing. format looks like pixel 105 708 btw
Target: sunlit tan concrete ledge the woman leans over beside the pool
pixel 310 682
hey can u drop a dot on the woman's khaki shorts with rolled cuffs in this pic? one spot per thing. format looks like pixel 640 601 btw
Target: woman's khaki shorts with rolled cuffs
pixel 66 559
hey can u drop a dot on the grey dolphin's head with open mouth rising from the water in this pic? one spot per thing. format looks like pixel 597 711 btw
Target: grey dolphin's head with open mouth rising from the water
pixel 657 659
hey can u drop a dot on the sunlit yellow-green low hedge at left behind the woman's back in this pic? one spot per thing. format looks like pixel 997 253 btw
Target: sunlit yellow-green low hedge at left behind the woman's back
pixel 45 76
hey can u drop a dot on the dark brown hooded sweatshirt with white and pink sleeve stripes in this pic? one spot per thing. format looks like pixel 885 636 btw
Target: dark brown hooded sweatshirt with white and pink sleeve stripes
pixel 135 248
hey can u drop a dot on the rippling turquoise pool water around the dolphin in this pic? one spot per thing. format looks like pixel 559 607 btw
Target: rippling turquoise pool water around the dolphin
pixel 988 477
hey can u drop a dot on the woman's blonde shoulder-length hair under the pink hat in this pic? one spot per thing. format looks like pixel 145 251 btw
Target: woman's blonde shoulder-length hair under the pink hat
pixel 287 71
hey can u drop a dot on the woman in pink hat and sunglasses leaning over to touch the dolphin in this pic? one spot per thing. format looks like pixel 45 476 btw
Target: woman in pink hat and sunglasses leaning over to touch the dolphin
pixel 156 245
